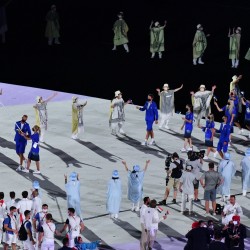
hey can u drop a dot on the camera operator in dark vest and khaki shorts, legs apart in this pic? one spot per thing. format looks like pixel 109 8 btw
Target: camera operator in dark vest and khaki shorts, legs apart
pixel 174 167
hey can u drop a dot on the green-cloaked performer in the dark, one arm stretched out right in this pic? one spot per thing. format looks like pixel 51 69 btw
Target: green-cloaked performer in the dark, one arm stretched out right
pixel 199 45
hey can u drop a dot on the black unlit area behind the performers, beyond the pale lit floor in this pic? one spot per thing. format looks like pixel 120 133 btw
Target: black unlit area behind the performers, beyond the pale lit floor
pixel 85 64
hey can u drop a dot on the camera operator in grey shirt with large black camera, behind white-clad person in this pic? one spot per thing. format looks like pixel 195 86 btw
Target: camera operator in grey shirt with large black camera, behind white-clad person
pixel 195 159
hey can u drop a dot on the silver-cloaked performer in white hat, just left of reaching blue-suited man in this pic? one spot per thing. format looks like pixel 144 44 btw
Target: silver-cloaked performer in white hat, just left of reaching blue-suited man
pixel 117 115
